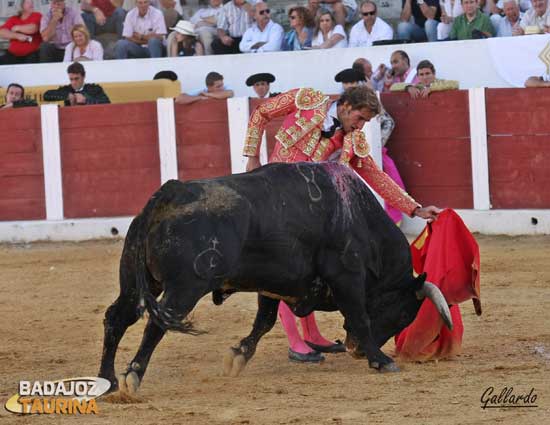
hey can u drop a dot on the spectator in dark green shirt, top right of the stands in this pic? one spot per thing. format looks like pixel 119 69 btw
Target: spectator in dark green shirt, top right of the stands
pixel 472 24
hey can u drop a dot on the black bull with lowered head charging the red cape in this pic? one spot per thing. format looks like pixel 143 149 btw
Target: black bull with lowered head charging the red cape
pixel 312 235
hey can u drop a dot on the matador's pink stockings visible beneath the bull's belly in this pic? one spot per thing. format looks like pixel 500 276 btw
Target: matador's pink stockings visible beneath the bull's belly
pixel 309 327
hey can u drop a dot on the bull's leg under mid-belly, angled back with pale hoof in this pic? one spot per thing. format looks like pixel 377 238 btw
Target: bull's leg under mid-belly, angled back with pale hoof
pixel 237 358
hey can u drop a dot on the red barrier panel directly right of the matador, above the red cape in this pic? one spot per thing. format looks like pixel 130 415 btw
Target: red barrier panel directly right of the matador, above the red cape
pixel 431 146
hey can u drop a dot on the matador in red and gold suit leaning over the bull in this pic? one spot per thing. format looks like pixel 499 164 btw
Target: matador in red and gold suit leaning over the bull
pixel 318 129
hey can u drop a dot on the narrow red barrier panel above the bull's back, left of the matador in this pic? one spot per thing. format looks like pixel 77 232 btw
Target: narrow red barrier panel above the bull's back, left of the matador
pixel 202 135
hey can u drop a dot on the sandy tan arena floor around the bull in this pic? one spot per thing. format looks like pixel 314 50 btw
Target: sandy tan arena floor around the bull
pixel 53 298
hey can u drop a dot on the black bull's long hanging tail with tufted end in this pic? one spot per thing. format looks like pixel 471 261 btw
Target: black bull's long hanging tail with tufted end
pixel 162 317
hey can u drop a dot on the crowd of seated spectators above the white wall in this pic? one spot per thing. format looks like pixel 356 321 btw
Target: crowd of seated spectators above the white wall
pixel 153 28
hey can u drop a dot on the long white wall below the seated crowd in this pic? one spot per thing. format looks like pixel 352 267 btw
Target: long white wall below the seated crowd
pixel 498 62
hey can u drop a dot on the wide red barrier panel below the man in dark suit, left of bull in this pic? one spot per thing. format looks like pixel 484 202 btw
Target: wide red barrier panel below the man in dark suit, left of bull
pixel 110 158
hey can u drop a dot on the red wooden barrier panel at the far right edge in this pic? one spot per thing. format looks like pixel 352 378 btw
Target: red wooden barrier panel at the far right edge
pixel 518 124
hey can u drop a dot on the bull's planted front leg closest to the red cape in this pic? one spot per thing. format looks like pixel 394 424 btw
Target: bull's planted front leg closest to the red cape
pixel 349 293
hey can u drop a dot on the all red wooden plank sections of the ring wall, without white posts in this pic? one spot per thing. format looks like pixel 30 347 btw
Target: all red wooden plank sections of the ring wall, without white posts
pixel 110 154
